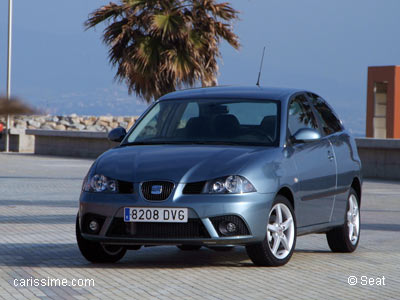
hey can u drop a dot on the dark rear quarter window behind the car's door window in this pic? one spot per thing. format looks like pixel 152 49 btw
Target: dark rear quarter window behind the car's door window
pixel 330 123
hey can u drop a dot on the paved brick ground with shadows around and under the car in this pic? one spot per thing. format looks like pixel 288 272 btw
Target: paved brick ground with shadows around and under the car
pixel 38 205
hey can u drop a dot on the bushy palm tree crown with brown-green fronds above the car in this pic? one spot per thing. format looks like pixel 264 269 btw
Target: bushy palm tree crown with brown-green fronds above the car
pixel 161 45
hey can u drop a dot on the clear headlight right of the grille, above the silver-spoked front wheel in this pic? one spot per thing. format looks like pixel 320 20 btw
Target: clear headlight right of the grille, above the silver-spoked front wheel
pixel 230 185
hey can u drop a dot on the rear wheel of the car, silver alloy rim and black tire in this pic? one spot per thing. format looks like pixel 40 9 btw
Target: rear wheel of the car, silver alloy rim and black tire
pixel 346 237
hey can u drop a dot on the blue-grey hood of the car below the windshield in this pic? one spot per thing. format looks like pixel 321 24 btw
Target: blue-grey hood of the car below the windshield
pixel 177 163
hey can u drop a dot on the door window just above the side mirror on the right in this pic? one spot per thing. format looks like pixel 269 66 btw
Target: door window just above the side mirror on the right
pixel 300 115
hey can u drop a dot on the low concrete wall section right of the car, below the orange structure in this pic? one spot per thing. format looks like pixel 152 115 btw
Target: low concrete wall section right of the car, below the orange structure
pixel 380 157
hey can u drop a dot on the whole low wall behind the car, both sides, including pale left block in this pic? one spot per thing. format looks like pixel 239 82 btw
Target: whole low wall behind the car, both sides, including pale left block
pixel 380 157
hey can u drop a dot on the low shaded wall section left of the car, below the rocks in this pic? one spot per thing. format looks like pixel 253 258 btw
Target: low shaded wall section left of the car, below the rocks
pixel 70 143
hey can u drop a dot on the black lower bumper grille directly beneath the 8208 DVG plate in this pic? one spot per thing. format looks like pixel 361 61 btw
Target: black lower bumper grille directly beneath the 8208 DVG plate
pixel 194 228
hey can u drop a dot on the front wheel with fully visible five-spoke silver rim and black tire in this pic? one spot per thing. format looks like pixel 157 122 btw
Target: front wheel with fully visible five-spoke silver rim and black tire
pixel 280 240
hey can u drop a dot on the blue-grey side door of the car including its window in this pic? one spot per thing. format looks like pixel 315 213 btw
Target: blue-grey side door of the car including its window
pixel 316 169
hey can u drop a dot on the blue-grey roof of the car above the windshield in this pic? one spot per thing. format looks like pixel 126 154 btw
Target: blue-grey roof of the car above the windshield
pixel 251 92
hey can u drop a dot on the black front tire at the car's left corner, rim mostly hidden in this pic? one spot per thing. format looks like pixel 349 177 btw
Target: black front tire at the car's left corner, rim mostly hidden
pixel 97 252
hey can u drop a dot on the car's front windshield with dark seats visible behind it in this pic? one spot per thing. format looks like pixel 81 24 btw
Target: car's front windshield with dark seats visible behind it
pixel 209 121
